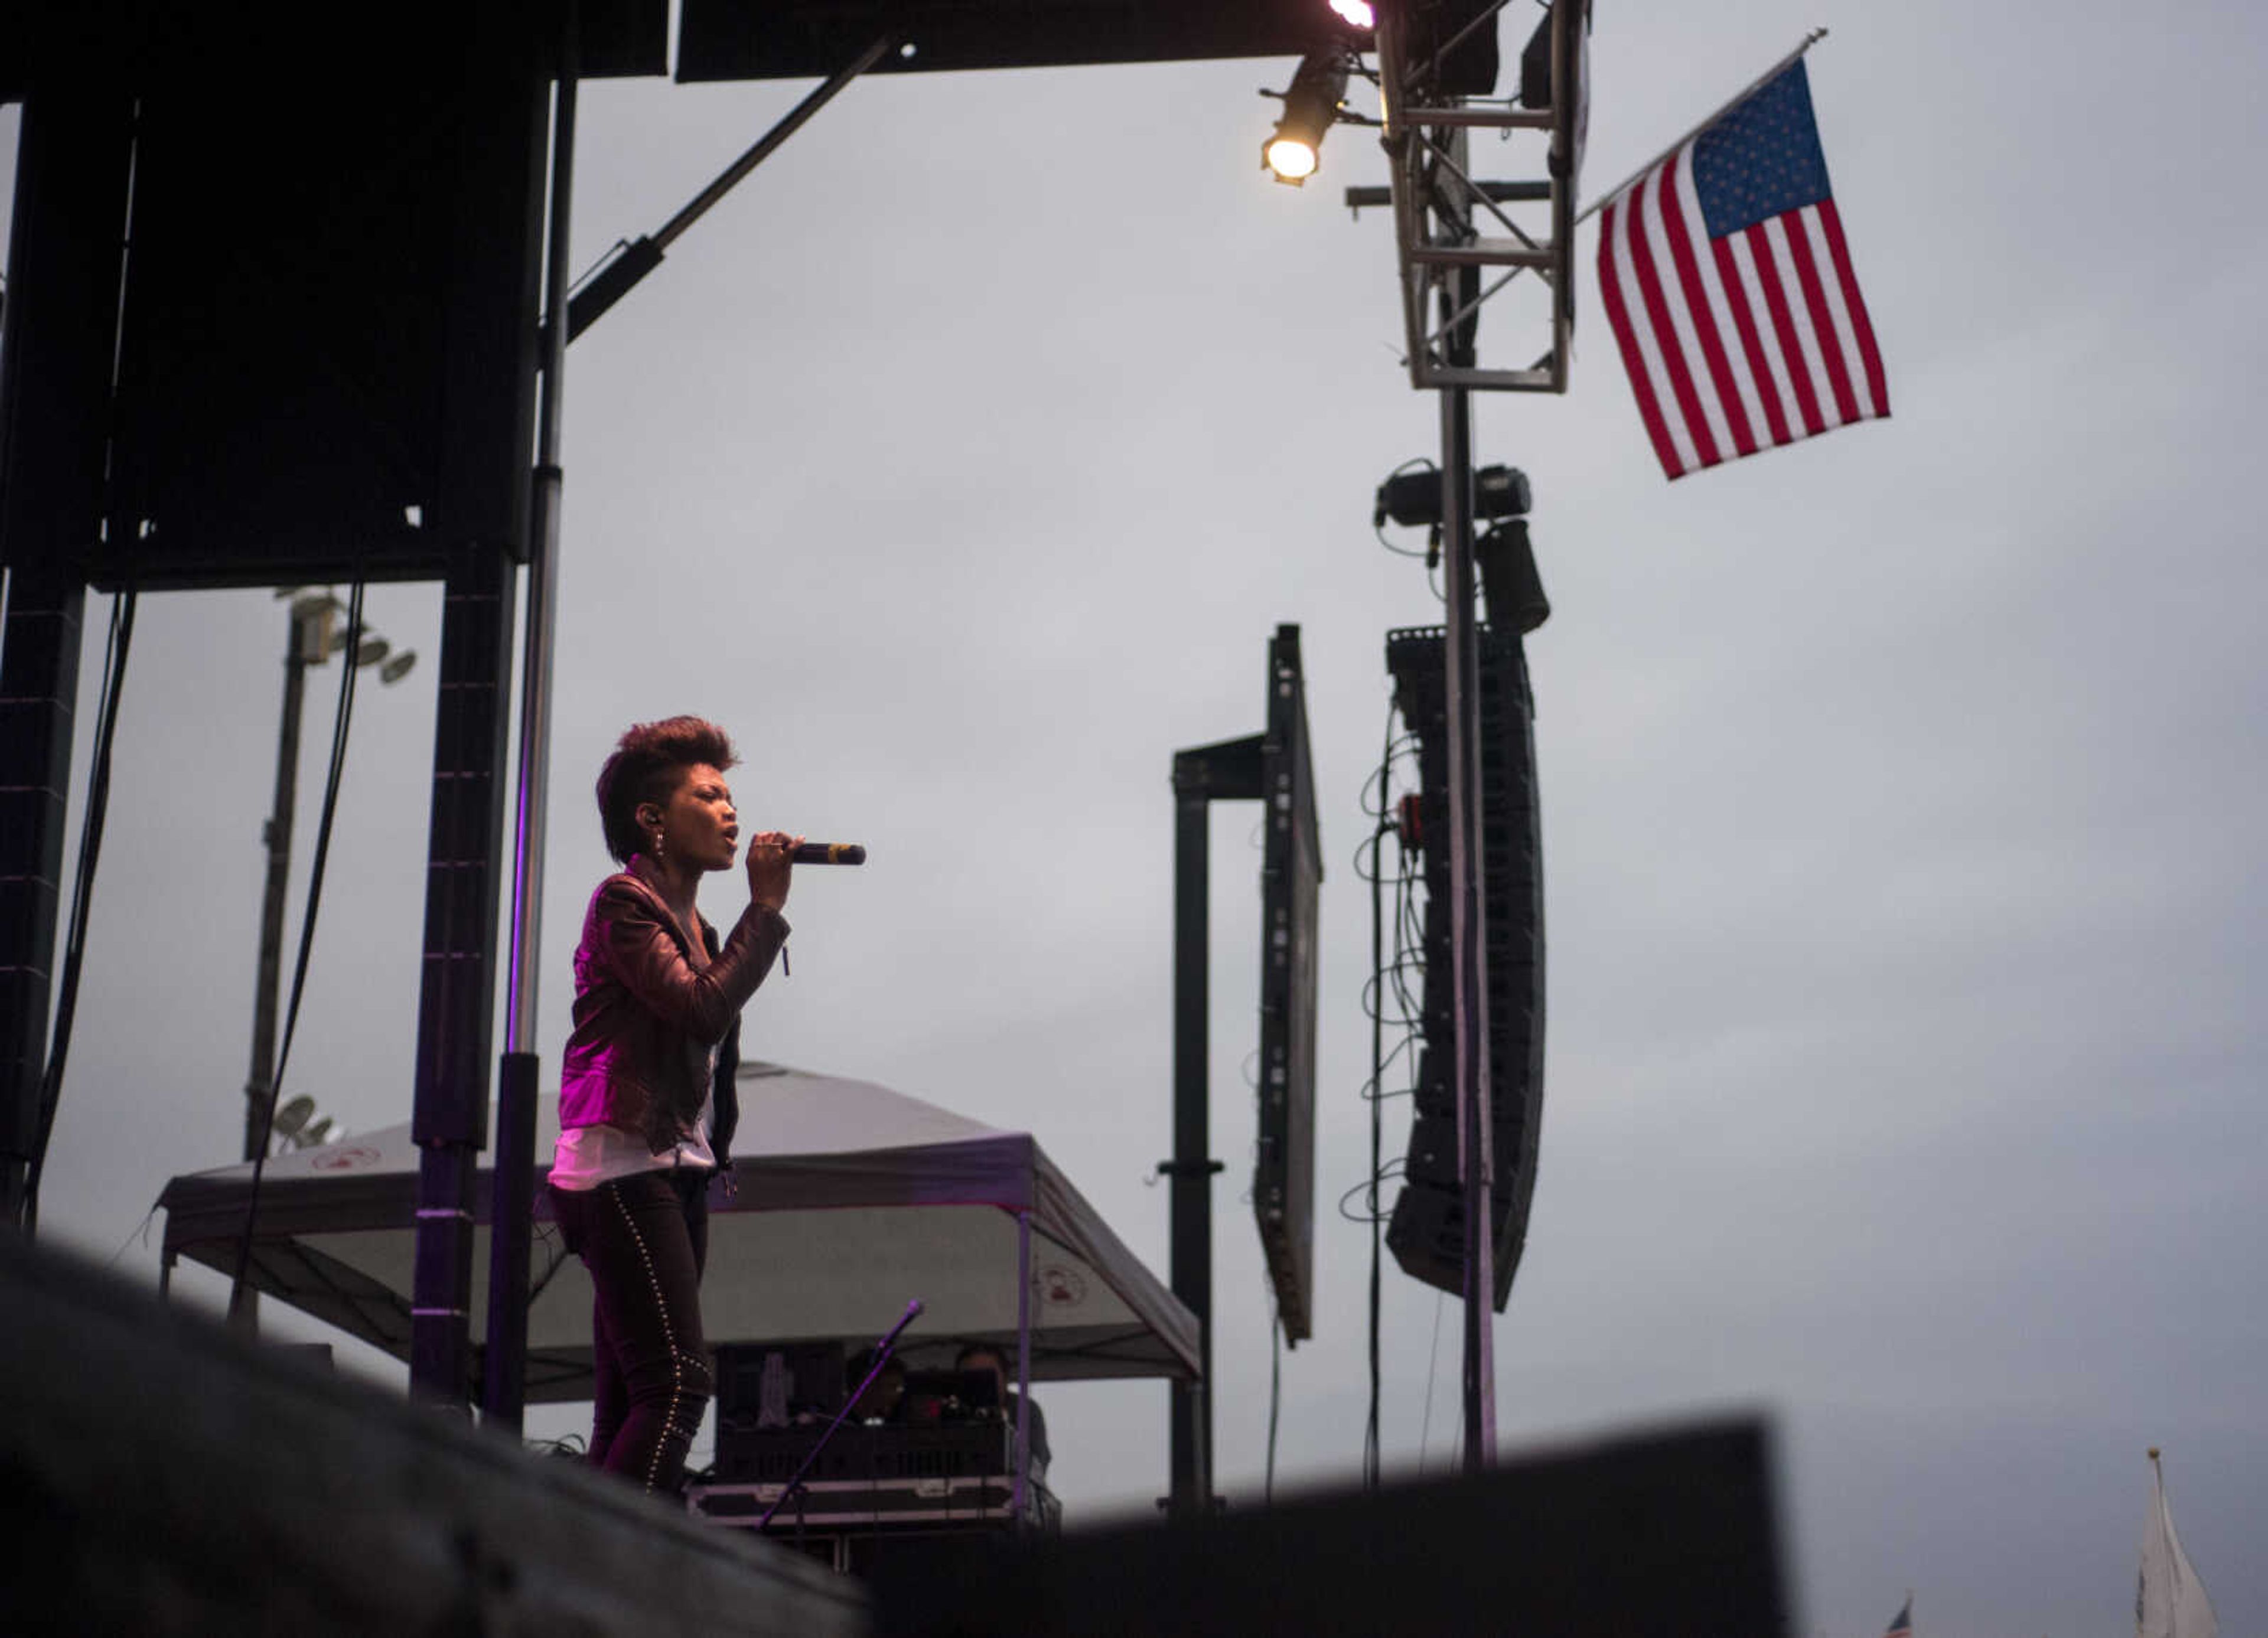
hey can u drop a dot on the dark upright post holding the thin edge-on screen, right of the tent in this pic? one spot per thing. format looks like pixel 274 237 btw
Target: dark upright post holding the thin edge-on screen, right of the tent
pixel 1192 1138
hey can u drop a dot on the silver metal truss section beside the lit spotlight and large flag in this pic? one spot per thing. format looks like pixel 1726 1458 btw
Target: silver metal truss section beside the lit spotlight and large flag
pixel 1450 230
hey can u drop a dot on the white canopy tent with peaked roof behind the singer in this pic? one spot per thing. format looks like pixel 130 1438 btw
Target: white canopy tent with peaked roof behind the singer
pixel 852 1199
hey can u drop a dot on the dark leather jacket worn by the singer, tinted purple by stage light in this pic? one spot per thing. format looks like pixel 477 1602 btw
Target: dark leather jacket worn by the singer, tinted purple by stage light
pixel 645 1018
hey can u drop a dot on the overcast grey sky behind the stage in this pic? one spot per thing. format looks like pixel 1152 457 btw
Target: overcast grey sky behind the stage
pixel 1902 791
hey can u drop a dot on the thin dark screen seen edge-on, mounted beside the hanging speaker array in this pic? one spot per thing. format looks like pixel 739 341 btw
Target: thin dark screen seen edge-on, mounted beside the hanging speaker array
pixel 1292 868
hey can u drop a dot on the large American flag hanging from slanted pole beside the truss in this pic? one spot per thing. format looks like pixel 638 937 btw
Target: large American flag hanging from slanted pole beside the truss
pixel 1729 287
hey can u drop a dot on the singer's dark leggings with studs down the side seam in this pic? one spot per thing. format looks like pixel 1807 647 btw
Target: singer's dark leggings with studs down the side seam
pixel 643 1240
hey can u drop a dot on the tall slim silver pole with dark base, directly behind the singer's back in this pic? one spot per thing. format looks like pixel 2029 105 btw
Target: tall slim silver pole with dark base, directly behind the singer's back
pixel 521 1070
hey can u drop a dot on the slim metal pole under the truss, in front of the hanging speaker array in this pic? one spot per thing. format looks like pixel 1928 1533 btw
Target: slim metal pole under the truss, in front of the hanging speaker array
pixel 1469 938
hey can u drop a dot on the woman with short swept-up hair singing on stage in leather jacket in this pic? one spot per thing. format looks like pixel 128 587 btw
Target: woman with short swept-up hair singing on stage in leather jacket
pixel 648 1104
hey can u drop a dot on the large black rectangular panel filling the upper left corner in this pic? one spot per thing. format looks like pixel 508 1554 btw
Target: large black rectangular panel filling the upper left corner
pixel 328 316
